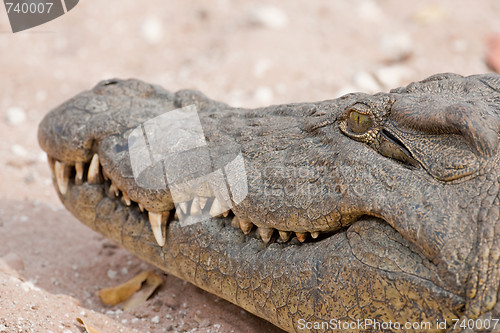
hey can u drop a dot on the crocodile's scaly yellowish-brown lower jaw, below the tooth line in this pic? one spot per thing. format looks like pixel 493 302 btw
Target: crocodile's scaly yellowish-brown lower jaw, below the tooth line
pixel 222 260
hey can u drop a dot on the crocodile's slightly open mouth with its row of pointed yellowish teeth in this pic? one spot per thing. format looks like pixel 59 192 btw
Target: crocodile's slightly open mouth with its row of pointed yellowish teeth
pixel 67 175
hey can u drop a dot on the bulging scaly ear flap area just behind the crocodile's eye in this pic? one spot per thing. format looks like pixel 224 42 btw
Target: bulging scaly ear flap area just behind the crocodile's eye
pixel 449 141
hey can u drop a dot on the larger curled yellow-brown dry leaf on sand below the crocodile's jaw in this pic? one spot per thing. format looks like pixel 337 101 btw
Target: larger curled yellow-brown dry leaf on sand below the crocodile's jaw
pixel 149 281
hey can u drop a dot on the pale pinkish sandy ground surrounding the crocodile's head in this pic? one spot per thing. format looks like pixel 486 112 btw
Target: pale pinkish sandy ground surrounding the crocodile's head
pixel 241 52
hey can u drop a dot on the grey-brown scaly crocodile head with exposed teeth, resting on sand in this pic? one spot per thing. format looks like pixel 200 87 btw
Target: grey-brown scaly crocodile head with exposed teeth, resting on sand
pixel 362 213
